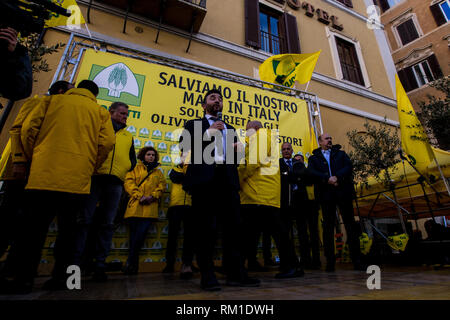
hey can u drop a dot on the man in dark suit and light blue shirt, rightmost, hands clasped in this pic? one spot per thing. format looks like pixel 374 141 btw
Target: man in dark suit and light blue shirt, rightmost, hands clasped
pixel 333 175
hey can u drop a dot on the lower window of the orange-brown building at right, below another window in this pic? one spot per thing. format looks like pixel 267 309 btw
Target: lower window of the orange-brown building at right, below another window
pixel 421 73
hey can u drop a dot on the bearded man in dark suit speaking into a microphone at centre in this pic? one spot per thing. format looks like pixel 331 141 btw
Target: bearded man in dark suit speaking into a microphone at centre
pixel 212 180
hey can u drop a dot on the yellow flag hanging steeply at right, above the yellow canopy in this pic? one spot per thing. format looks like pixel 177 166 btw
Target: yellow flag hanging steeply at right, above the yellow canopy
pixel 414 139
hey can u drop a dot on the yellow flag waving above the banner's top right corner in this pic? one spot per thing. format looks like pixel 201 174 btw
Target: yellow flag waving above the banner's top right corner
pixel 285 69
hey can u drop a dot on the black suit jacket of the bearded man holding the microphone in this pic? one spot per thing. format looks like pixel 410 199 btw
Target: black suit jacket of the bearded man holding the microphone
pixel 198 172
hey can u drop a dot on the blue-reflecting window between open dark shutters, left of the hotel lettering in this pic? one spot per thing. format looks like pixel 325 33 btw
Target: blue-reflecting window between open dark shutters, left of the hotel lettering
pixel 270 28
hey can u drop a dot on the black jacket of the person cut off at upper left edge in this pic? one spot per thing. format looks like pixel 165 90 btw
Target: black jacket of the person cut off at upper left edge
pixel 16 81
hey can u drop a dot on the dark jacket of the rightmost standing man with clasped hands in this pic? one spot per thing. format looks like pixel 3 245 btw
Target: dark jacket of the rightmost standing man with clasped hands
pixel 341 167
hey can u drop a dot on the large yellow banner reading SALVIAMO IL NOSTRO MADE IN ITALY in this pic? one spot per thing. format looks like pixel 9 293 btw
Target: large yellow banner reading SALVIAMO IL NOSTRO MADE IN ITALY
pixel 162 99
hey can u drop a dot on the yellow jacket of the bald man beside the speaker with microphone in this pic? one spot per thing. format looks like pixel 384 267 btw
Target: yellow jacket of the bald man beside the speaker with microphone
pixel 260 174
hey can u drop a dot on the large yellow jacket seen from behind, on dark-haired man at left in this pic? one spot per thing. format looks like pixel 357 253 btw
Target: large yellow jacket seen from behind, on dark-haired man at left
pixel 66 137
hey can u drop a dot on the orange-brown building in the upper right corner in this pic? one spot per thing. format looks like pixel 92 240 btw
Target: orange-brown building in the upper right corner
pixel 419 38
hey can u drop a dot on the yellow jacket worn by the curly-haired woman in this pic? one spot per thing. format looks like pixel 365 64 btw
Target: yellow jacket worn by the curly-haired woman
pixel 154 185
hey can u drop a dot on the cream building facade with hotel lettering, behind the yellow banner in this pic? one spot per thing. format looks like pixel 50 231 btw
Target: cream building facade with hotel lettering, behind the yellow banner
pixel 353 79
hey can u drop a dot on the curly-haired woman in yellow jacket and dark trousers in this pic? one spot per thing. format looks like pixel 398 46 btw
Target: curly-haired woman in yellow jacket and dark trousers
pixel 145 185
